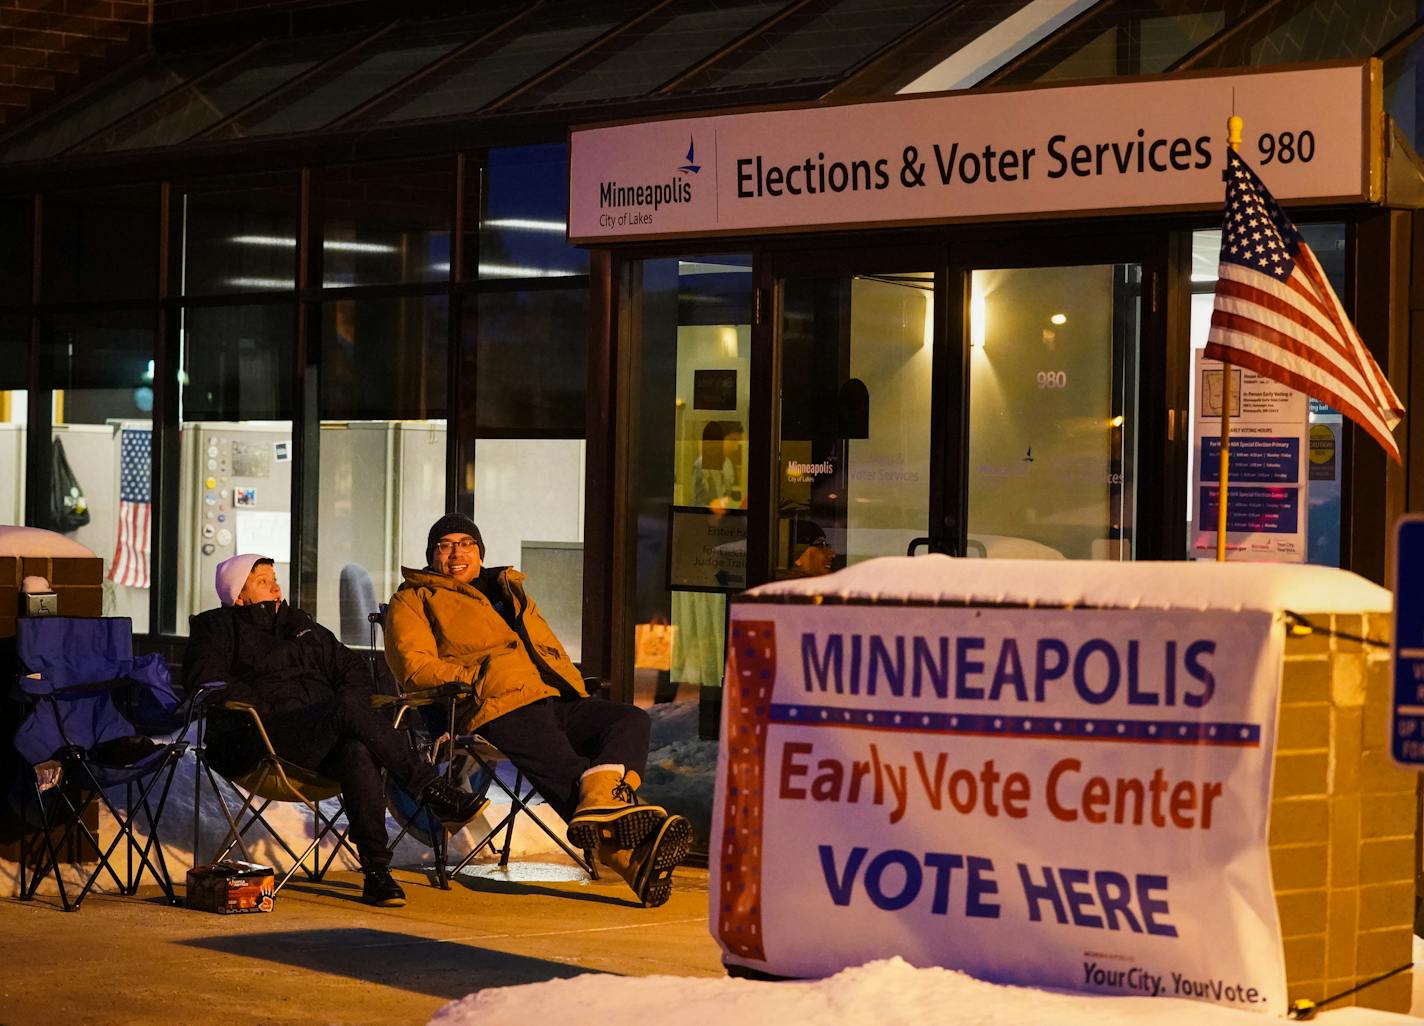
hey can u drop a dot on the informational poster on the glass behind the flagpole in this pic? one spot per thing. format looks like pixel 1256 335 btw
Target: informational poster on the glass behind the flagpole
pixel 1267 507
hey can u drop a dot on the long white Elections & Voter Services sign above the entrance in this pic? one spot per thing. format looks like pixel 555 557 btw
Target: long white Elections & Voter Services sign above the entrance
pixel 1046 152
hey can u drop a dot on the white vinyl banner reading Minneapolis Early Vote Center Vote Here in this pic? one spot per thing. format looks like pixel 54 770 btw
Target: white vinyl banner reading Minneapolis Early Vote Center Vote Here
pixel 1056 798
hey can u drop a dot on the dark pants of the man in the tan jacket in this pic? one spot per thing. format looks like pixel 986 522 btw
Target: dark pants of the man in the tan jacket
pixel 553 742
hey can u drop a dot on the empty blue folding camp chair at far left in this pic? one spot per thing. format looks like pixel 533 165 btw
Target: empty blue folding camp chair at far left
pixel 88 738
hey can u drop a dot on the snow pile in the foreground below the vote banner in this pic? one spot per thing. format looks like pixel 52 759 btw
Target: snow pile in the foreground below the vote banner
pixel 891 993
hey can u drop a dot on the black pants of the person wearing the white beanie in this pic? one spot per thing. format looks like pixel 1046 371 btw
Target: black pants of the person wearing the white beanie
pixel 341 738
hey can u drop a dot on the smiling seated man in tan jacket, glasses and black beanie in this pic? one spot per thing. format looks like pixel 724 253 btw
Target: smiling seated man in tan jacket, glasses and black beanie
pixel 462 621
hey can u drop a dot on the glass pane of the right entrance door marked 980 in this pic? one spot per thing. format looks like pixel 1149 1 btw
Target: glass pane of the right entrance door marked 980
pixel 1053 412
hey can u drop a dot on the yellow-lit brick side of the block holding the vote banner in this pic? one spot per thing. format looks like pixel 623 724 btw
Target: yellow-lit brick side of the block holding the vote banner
pixel 1342 820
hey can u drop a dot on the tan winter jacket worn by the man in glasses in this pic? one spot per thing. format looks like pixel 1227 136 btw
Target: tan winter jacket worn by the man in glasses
pixel 439 630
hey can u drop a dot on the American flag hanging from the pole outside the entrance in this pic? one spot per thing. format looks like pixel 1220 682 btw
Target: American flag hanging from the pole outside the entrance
pixel 1277 314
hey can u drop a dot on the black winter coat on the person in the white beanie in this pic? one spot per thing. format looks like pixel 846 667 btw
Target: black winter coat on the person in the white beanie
pixel 270 655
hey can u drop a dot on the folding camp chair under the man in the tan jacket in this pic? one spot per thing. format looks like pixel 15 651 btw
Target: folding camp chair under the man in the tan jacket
pixel 436 708
